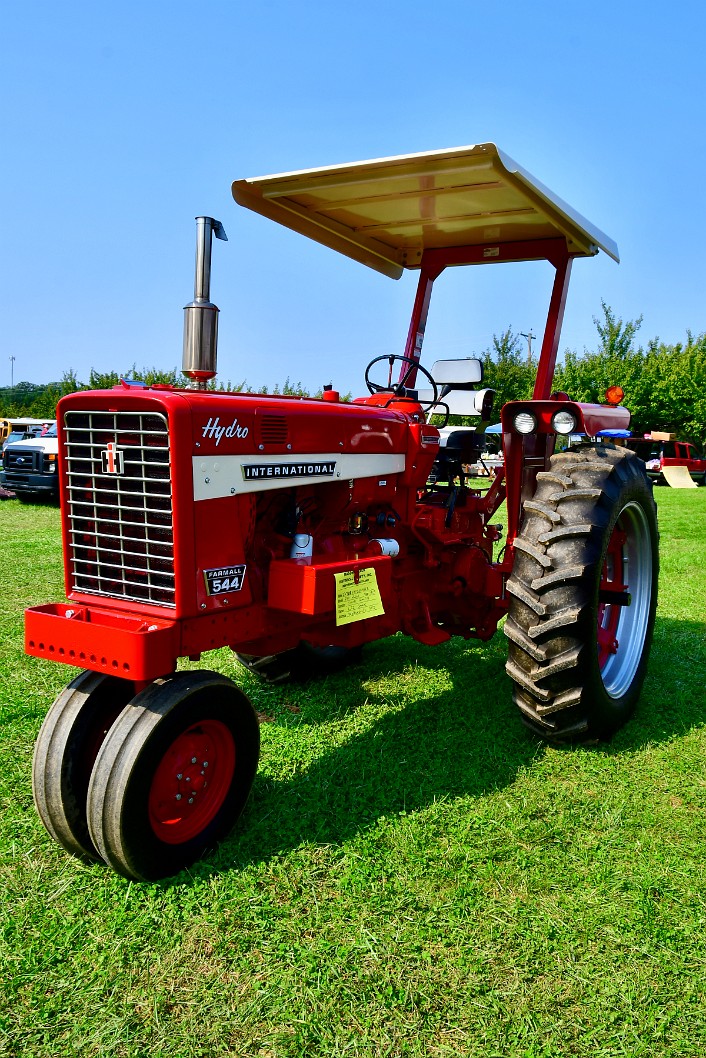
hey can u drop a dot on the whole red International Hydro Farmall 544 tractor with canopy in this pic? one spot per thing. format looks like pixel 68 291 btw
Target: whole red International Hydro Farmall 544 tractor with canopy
pixel 295 531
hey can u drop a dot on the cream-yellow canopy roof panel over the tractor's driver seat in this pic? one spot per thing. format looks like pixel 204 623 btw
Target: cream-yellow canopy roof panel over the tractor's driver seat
pixel 386 212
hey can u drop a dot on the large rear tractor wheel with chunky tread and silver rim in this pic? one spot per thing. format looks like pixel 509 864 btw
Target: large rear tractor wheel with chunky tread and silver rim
pixel 584 595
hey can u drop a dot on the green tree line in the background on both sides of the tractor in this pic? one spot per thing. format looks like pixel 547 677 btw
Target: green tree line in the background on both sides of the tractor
pixel 665 386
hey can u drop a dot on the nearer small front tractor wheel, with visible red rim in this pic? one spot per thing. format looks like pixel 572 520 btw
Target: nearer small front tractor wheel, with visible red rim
pixel 174 775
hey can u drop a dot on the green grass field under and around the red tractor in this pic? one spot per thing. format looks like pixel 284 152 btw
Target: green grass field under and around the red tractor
pixel 414 874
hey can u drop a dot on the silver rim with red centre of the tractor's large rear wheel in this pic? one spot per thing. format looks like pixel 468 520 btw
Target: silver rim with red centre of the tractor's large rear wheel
pixel 623 627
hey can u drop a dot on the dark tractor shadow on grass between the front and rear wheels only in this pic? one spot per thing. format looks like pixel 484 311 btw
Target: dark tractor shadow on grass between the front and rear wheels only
pixel 463 742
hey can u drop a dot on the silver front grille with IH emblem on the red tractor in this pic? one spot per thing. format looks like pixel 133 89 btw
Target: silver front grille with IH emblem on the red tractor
pixel 119 505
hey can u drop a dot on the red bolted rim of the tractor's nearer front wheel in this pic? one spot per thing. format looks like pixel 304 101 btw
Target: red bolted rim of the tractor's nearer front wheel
pixel 192 781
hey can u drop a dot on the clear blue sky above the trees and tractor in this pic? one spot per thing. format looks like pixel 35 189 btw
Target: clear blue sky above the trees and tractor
pixel 121 123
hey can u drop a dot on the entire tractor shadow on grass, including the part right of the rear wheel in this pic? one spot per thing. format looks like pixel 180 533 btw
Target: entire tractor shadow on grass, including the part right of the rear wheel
pixel 465 742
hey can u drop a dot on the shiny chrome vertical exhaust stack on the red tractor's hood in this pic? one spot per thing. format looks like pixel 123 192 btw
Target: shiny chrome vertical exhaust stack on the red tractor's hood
pixel 202 316
